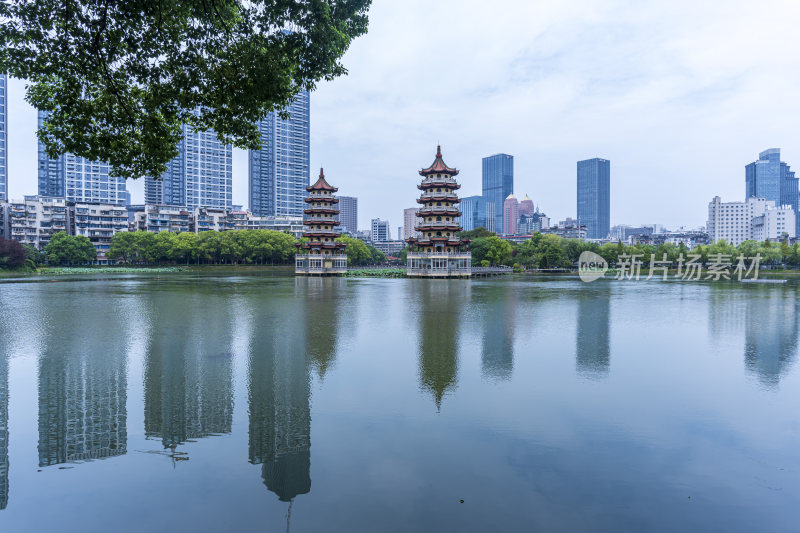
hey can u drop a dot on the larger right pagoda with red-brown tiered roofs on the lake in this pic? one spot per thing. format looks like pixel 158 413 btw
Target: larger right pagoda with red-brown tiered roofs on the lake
pixel 436 251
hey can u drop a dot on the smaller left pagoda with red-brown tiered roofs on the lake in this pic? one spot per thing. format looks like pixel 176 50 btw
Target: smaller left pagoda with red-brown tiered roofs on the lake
pixel 321 254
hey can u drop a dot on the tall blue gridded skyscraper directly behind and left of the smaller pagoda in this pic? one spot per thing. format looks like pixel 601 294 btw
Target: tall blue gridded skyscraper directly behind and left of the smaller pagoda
pixel 279 170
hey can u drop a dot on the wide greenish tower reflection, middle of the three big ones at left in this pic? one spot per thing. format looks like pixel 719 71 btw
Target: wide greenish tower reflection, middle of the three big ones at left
pixel 188 375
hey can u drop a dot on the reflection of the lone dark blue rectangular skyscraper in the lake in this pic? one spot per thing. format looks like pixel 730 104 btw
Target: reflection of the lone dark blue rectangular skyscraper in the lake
pixel 592 342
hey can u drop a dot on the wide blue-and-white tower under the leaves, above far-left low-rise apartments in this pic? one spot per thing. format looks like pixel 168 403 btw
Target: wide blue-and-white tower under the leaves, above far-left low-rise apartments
pixel 77 179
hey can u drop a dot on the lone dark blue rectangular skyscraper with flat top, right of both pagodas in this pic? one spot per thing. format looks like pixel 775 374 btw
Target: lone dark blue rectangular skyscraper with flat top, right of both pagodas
pixel 594 197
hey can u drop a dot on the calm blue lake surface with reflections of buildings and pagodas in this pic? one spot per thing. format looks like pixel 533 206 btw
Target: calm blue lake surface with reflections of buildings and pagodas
pixel 259 403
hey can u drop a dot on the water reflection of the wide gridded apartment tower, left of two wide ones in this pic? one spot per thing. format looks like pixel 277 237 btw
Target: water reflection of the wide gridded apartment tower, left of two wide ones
pixel 82 389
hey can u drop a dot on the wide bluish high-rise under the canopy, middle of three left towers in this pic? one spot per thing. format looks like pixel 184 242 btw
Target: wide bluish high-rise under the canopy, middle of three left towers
pixel 201 175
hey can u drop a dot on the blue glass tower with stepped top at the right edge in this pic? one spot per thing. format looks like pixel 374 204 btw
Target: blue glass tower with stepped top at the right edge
pixel 772 179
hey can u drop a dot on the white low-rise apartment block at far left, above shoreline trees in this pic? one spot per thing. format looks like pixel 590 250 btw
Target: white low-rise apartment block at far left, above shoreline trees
pixel 36 219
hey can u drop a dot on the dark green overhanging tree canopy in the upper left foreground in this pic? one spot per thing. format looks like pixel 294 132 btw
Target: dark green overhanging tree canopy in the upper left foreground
pixel 119 80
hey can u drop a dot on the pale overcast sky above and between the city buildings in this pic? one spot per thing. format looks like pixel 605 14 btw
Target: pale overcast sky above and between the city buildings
pixel 679 95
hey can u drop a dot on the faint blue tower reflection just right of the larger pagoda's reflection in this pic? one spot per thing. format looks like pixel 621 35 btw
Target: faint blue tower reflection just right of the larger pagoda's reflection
pixel 498 320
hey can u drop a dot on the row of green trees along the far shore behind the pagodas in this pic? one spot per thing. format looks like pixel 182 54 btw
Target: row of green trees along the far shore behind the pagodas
pixel 266 247
